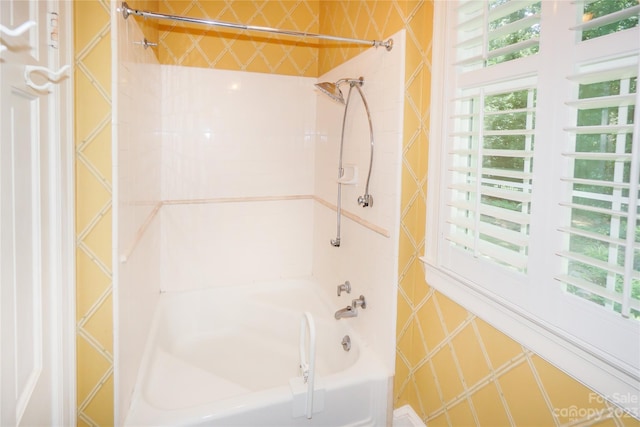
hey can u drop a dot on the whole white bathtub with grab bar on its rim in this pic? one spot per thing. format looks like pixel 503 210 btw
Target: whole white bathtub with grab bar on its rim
pixel 225 357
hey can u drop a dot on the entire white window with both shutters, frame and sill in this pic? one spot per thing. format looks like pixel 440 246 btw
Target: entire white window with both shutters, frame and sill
pixel 533 218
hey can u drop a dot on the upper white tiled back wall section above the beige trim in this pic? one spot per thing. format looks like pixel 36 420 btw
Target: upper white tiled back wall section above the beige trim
pixel 235 134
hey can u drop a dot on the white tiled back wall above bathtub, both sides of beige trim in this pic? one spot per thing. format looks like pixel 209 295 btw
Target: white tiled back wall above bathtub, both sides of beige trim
pixel 234 138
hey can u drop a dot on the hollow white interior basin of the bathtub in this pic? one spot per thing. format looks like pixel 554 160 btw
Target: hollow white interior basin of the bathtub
pixel 220 331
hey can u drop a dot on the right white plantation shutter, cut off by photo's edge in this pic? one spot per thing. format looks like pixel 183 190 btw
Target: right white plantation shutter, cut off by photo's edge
pixel 601 257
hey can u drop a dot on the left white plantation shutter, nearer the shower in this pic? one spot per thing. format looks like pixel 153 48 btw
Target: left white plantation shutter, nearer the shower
pixel 492 134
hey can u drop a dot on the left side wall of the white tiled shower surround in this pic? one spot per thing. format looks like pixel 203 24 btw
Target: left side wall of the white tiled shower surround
pixel 136 195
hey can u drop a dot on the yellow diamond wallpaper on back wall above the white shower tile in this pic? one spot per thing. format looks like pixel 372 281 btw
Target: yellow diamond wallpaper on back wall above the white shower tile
pixel 196 46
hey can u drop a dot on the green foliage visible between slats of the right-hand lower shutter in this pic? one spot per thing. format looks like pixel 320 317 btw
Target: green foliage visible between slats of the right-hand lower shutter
pixel 603 196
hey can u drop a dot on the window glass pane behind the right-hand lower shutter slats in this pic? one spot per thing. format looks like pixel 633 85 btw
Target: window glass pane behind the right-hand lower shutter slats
pixel 600 200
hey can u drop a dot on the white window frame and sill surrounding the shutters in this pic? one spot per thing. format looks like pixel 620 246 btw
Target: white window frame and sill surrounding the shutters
pixel 514 305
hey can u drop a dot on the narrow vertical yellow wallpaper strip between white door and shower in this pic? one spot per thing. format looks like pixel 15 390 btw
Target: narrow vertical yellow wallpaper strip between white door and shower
pixel 94 327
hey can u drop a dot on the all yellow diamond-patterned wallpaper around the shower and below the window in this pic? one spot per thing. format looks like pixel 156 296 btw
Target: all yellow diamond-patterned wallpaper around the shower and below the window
pixel 452 367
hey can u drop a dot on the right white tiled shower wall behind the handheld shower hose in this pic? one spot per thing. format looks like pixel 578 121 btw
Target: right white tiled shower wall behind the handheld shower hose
pixel 366 258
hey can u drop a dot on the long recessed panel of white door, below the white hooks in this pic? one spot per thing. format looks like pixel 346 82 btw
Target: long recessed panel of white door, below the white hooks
pixel 27 239
